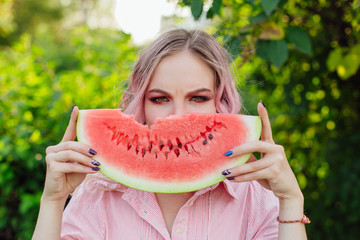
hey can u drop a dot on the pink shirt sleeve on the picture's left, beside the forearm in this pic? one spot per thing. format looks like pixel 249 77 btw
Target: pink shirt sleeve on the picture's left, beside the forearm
pixel 84 216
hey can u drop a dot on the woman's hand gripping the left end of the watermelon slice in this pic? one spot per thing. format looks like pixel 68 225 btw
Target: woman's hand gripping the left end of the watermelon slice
pixel 67 164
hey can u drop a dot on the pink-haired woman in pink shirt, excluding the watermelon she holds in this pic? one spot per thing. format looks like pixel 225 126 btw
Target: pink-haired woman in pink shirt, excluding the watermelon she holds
pixel 179 73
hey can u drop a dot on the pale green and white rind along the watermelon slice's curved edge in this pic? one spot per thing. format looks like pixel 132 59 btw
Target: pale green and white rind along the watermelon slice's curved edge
pixel 254 127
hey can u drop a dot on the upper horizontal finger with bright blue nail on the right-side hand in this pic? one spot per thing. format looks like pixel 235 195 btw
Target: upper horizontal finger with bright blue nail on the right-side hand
pixel 253 146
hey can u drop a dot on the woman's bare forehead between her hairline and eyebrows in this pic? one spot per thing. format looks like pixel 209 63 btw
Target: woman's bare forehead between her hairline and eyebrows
pixel 182 70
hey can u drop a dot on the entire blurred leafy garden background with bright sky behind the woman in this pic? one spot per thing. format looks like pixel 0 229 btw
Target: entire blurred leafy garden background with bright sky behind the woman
pixel 301 58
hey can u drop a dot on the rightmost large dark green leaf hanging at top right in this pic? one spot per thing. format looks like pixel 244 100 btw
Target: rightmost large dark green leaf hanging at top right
pixel 300 39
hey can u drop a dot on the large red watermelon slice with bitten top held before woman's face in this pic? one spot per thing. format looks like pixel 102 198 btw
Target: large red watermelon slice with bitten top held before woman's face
pixel 177 154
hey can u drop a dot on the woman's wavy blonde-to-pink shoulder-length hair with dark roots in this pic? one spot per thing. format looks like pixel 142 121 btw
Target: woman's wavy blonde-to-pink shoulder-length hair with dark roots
pixel 227 99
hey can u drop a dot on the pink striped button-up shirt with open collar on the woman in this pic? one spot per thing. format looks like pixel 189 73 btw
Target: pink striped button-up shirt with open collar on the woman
pixel 223 211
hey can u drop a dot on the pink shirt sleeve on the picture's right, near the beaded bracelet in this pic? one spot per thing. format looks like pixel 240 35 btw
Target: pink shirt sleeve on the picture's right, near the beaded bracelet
pixel 264 211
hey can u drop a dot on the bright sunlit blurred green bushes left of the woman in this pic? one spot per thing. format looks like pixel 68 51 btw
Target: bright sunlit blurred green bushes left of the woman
pixel 40 81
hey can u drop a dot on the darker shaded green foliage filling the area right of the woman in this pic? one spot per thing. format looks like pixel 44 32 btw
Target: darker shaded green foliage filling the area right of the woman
pixel 302 59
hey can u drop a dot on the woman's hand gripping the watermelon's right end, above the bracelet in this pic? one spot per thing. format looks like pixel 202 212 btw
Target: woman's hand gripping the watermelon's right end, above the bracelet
pixel 272 171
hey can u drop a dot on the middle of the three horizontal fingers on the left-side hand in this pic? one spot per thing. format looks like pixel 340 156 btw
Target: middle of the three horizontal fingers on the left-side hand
pixel 72 156
